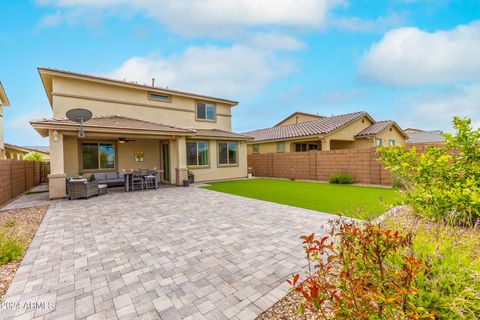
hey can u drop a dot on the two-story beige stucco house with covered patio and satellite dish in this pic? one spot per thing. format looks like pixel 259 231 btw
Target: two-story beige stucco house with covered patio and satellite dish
pixel 138 126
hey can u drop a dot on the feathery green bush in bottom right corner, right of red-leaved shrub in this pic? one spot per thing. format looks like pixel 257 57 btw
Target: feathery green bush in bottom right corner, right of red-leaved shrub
pixel 451 287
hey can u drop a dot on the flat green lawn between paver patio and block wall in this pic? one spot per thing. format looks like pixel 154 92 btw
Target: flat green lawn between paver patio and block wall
pixel 348 200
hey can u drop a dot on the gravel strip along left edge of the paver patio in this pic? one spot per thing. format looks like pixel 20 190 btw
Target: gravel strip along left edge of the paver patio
pixel 27 221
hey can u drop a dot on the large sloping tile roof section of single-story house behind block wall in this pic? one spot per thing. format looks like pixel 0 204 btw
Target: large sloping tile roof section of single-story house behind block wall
pixel 308 128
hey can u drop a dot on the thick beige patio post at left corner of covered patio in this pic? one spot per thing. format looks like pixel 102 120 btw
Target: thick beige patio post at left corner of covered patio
pixel 56 178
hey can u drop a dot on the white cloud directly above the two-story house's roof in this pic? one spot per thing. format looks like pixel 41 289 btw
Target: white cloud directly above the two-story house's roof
pixel 230 71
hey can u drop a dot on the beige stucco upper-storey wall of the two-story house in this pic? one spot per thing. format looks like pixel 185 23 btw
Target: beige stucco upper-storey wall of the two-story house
pixel 107 100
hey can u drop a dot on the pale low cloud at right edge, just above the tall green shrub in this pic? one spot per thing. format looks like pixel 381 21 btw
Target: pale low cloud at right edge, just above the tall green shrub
pixel 436 109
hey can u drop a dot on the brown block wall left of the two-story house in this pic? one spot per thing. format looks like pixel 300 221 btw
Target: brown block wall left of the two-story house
pixel 16 177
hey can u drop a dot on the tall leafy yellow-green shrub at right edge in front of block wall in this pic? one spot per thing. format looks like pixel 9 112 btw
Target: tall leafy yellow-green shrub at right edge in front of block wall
pixel 444 180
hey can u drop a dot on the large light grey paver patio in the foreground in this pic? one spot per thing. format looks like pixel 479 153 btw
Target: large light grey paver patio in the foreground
pixel 171 253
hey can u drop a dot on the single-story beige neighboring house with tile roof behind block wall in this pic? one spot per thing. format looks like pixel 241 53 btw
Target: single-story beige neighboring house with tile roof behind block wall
pixel 299 133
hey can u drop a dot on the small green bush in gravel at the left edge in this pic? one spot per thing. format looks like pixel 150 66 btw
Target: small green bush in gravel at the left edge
pixel 11 245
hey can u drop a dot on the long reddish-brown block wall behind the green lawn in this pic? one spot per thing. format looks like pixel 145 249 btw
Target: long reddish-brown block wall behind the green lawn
pixel 362 164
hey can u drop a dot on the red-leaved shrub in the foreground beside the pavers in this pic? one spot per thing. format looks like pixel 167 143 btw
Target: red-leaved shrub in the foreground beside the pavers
pixel 360 272
